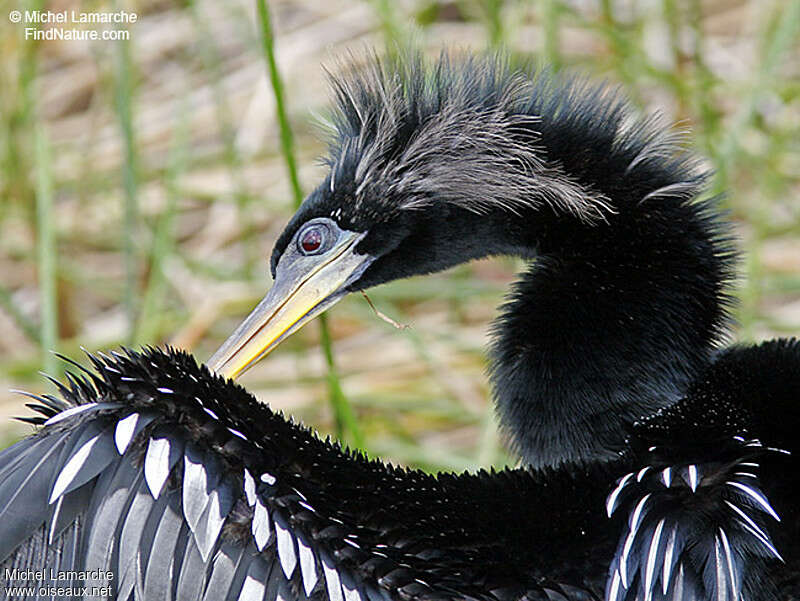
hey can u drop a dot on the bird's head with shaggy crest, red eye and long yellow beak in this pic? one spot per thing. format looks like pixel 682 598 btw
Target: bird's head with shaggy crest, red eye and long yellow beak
pixel 430 165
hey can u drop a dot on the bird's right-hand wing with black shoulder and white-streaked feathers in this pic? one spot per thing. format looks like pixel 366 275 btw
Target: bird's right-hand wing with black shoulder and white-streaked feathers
pixel 702 517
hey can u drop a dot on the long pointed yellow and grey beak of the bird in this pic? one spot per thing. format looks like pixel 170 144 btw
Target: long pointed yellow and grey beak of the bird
pixel 304 287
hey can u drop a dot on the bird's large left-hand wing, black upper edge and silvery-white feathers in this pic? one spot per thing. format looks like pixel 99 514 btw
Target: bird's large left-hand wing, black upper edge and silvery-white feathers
pixel 166 482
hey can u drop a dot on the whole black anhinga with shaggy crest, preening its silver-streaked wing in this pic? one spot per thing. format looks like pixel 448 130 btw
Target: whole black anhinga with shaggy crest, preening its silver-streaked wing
pixel 657 466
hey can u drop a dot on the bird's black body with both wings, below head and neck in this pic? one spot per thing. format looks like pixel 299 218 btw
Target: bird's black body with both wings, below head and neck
pixel 387 533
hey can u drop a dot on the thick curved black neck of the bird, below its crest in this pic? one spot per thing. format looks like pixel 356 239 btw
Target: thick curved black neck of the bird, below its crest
pixel 611 322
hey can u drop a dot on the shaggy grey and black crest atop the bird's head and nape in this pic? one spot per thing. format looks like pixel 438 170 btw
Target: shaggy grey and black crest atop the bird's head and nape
pixel 484 133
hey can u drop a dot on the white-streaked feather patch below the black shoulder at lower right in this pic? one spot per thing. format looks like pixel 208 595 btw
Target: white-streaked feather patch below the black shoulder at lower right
pixel 694 531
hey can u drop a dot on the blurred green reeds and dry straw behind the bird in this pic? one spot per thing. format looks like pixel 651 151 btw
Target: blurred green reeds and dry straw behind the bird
pixel 143 183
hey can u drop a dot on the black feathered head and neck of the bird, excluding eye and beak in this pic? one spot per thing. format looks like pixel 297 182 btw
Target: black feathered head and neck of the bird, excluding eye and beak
pixel 629 291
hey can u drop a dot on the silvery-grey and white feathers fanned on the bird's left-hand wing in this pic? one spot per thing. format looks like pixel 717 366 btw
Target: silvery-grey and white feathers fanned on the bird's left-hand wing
pixel 122 496
